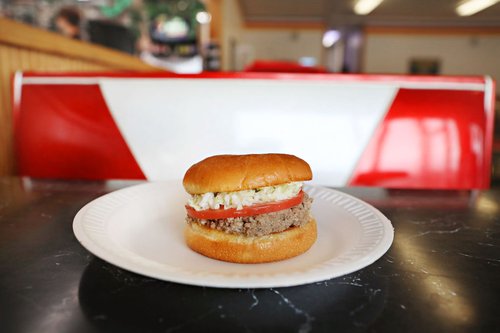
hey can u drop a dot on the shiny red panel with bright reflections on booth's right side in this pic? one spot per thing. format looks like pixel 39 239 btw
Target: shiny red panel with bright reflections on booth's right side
pixel 429 139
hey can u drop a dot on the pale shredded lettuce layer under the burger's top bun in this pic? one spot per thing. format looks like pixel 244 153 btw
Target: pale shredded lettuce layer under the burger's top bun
pixel 239 199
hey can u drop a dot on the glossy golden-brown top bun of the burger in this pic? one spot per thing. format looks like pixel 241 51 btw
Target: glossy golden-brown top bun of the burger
pixel 228 173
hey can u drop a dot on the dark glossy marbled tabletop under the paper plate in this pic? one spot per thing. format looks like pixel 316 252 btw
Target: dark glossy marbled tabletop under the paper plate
pixel 442 273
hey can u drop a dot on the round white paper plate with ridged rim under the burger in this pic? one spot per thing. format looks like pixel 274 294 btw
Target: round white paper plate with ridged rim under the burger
pixel 140 229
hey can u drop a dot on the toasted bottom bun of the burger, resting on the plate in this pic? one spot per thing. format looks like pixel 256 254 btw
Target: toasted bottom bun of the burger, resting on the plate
pixel 250 250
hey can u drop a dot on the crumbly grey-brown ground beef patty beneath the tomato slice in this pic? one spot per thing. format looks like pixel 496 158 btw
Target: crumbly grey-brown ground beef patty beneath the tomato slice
pixel 263 224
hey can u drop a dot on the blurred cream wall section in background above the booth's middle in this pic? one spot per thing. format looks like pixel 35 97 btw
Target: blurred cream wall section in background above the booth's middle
pixel 268 44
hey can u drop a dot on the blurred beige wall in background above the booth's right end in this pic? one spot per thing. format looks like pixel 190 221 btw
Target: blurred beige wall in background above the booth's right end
pixel 460 54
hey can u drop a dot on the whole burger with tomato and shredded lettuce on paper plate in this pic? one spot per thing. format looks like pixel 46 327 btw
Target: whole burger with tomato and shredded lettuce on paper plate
pixel 249 208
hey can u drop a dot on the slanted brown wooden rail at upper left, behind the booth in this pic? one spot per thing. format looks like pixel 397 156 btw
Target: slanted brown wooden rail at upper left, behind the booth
pixel 25 36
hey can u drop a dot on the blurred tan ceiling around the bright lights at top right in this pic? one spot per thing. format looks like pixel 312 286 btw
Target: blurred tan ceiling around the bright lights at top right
pixel 390 12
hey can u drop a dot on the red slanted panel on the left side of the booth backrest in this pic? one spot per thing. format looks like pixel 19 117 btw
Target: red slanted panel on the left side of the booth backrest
pixel 67 131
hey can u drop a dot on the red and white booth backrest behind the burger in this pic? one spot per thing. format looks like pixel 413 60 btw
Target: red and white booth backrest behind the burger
pixel 354 130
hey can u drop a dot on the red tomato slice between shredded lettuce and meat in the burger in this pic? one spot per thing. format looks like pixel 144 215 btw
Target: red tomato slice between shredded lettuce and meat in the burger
pixel 262 208
